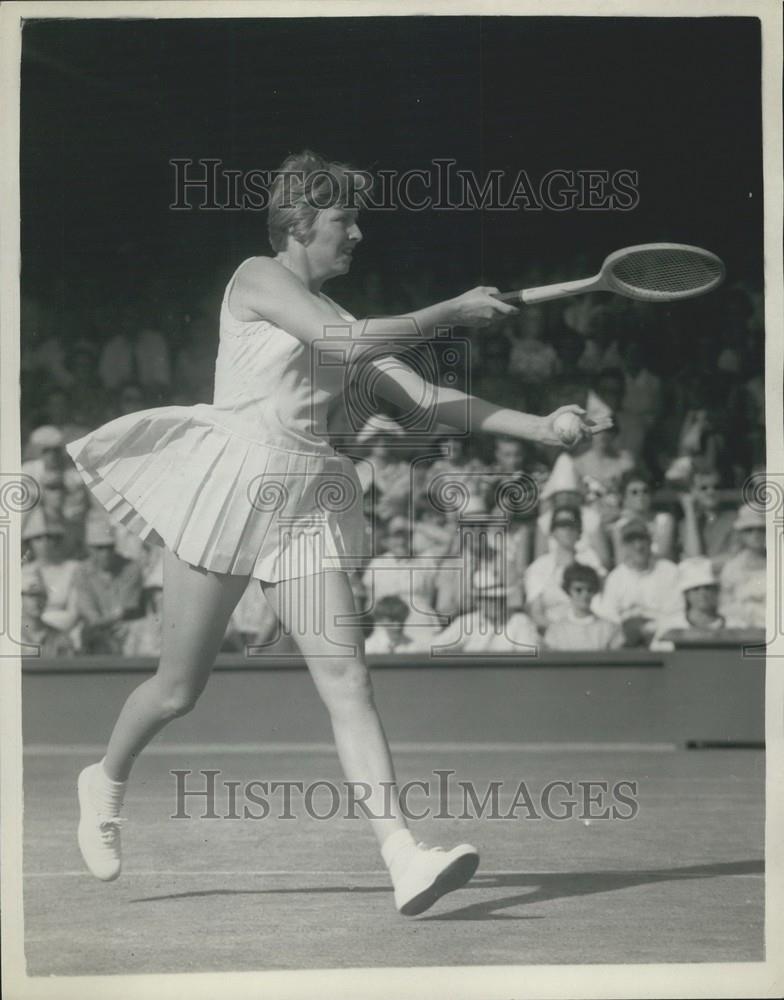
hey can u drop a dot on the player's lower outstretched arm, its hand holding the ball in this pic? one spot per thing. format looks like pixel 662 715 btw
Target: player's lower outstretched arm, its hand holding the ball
pixel 400 384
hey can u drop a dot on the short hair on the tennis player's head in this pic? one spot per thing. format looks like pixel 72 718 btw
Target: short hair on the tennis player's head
pixel 304 185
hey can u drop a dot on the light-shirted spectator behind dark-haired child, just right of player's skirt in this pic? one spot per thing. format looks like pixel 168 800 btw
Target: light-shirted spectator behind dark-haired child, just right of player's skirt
pixel 402 574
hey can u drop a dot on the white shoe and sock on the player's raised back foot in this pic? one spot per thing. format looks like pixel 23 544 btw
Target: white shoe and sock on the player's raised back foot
pixel 99 825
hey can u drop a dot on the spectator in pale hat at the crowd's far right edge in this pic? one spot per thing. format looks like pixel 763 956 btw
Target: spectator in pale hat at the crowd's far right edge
pixel 743 578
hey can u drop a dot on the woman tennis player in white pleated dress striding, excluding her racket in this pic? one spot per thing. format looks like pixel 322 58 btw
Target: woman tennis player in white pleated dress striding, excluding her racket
pixel 249 486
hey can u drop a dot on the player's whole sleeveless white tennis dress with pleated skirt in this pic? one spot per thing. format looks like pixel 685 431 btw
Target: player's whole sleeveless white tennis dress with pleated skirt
pixel 246 484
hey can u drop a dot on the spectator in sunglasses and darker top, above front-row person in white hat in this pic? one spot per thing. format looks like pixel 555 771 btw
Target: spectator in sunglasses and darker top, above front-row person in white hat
pixel 706 530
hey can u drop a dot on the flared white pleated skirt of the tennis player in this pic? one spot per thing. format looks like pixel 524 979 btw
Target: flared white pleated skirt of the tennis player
pixel 221 500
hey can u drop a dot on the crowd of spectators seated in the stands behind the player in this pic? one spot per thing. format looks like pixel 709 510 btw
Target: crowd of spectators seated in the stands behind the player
pixel 476 544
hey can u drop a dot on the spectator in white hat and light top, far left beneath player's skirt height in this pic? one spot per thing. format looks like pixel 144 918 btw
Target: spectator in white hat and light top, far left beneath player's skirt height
pixel 43 548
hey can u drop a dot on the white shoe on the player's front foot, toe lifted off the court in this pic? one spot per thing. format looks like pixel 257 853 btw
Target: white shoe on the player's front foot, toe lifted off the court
pixel 425 874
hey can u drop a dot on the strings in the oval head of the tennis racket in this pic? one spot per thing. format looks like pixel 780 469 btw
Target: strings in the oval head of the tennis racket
pixel 667 272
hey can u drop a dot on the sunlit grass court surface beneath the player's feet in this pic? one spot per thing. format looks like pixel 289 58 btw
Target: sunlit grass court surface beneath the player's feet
pixel 682 881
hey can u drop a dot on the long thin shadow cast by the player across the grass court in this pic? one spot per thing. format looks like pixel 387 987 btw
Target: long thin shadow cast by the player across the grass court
pixel 539 887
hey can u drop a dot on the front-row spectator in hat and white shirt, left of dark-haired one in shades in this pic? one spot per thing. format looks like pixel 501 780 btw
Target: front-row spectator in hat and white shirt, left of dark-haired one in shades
pixel 490 628
